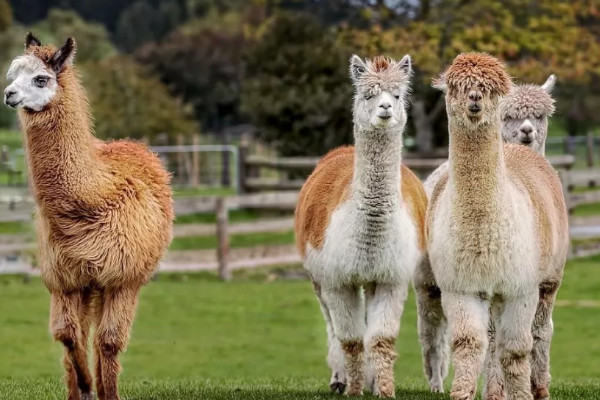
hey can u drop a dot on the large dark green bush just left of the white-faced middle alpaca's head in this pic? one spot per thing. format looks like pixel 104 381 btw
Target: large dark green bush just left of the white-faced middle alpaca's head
pixel 297 89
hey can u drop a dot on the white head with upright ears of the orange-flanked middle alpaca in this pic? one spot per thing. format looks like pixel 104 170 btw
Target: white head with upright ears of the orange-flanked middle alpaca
pixel 381 86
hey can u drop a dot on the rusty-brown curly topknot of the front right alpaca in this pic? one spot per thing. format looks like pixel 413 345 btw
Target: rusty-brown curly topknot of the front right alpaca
pixel 478 69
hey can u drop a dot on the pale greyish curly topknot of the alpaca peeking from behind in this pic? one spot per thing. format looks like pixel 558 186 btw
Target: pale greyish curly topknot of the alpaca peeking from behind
pixel 526 101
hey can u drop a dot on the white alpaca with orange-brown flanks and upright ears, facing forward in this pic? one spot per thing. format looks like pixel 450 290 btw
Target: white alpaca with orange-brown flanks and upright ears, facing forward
pixel 360 226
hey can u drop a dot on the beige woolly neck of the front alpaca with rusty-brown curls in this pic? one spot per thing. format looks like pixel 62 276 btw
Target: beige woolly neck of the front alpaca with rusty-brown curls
pixel 477 170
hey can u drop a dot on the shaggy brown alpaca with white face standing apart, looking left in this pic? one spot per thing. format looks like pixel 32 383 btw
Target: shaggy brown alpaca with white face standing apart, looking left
pixel 104 215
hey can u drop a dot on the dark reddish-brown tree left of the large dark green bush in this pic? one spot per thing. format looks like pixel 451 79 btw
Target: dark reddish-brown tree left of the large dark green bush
pixel 205 67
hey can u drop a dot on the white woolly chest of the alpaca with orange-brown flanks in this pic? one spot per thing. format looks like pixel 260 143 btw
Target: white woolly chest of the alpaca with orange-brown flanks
pixel 363 245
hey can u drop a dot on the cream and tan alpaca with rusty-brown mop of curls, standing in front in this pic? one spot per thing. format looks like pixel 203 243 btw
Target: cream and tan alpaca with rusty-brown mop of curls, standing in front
pixel 498 238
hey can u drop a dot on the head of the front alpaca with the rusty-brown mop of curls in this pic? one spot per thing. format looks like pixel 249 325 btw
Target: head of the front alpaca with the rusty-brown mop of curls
pixel 474 84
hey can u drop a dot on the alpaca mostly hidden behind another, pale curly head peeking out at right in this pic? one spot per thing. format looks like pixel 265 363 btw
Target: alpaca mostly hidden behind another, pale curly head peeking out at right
pixel 524 114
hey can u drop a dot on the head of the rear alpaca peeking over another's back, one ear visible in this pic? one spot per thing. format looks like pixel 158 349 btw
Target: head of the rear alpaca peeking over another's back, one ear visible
pixel 524 113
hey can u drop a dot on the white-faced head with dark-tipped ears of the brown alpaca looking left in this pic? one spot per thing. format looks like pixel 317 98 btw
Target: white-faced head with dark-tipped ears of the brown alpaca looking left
pixel 34 76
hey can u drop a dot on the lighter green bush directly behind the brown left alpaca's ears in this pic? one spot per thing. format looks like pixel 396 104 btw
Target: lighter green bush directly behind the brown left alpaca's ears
pixel 93 42
